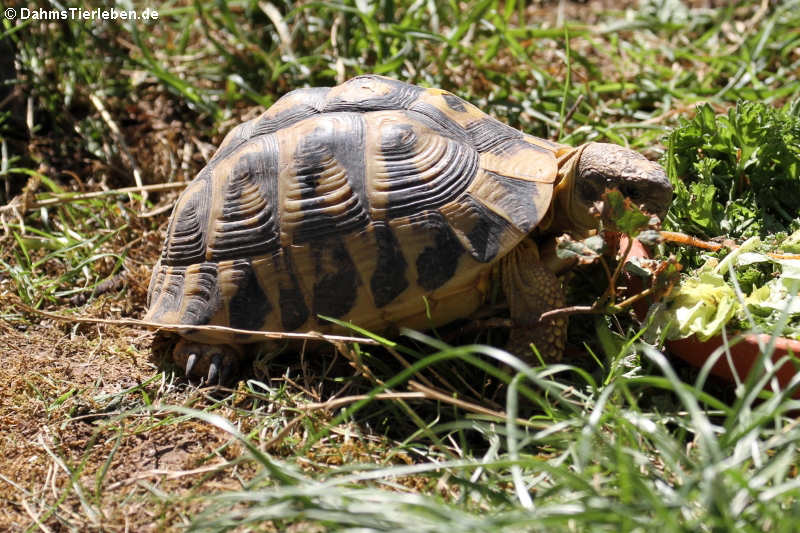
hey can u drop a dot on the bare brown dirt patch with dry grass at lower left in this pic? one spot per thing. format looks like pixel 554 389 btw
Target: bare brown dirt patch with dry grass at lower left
pixel 64 388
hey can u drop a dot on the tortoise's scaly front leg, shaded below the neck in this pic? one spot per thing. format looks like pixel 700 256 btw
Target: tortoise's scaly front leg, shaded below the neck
pixel 531 289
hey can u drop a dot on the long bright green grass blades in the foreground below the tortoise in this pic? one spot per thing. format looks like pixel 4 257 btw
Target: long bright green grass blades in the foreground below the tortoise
pixel 598 457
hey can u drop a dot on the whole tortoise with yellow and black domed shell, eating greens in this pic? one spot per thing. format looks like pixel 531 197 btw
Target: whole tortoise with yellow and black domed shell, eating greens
pixel 382 204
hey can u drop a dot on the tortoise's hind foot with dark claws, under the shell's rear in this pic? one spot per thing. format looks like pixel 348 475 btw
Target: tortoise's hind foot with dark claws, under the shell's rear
pixel 217 363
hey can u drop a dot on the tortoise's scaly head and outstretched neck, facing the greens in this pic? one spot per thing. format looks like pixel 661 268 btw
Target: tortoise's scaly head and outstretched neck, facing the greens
pixel 592 168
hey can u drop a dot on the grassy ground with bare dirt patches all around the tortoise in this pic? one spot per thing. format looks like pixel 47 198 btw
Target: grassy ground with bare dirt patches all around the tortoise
pixel 628 441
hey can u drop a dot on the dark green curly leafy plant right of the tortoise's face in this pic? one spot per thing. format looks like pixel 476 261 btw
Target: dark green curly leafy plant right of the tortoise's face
pixel 738 174
